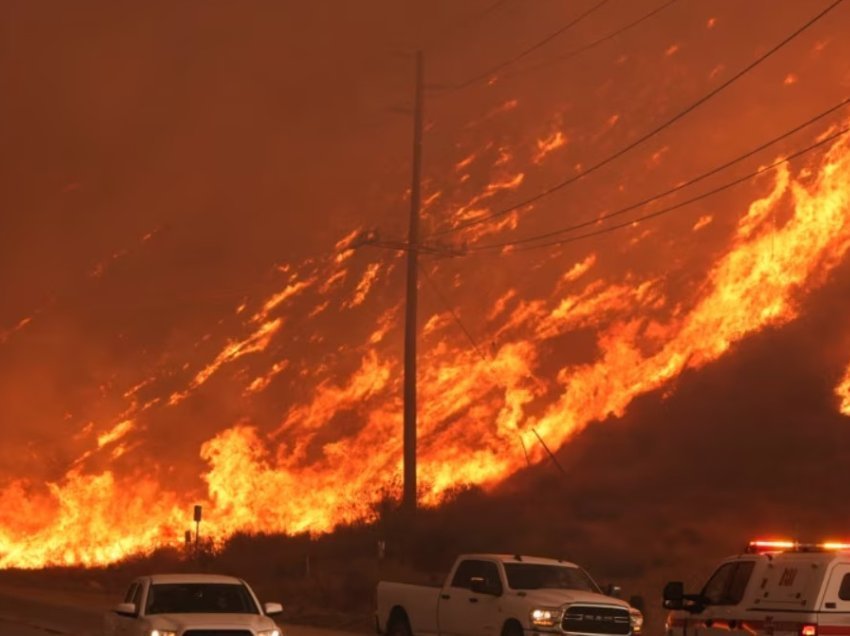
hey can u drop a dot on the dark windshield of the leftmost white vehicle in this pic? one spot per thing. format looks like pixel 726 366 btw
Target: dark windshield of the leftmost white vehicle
pixel 200 598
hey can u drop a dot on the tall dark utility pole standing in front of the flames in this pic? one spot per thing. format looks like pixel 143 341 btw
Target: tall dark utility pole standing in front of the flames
pixel 409 498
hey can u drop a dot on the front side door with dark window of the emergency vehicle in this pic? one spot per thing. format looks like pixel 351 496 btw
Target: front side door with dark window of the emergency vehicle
pixel 724 611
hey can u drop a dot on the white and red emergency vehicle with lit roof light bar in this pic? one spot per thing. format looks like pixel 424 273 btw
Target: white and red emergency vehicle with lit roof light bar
pixel 775 588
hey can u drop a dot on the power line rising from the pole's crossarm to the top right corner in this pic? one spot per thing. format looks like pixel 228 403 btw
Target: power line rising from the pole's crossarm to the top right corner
pixel 681 114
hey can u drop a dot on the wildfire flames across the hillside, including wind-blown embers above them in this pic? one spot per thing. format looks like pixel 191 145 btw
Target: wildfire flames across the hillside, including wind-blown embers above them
pixel 332 449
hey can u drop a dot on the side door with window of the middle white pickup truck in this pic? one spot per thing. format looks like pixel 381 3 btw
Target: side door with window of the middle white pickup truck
pixel 463 612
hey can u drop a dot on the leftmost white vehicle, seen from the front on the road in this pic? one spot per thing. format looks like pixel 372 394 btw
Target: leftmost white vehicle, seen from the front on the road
pixel 191 605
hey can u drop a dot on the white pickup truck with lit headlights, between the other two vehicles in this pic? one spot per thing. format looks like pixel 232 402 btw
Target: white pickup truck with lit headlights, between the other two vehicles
pixel 504 595
